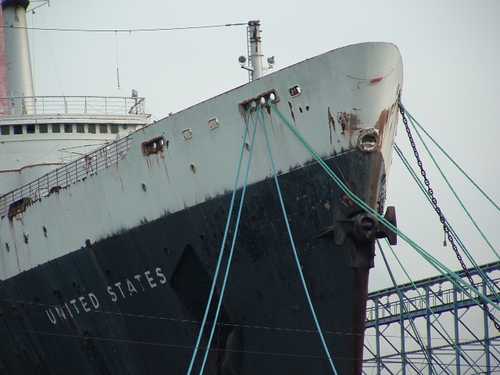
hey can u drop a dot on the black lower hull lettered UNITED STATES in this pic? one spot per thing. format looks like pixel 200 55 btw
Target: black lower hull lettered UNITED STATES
pixel 62 317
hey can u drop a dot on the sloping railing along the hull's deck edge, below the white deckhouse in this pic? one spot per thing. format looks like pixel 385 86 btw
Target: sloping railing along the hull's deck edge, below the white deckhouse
pixel 69 174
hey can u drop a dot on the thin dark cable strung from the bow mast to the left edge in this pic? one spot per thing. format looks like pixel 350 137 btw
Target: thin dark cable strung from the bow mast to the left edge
pixel 130 30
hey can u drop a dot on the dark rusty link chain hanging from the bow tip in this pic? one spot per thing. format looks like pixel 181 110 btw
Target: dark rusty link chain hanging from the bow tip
pixel 439 212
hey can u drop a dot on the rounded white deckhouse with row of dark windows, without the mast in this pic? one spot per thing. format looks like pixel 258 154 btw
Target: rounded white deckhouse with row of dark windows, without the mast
pixel 56 130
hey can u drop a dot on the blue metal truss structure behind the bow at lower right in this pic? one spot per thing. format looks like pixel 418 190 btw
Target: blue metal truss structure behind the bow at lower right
pixel 433 329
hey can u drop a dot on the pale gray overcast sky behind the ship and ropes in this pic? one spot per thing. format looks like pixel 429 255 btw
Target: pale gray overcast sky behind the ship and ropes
pixel 450 49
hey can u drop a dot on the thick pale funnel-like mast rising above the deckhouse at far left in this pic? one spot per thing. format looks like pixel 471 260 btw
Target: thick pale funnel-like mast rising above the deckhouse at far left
pixel 17 54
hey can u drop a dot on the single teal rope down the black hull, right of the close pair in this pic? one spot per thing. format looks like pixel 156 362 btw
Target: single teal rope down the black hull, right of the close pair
pixel 294 248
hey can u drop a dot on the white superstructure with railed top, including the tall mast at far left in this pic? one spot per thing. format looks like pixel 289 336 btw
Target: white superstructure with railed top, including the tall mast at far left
pixel 41 133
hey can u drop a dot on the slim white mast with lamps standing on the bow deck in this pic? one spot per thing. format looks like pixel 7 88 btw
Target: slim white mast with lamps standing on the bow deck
pixel 255 67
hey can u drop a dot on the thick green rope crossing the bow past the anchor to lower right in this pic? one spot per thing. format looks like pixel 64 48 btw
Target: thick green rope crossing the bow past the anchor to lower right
pixel 440 267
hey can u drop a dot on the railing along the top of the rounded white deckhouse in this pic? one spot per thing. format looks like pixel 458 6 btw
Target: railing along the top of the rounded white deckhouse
pixel 71 105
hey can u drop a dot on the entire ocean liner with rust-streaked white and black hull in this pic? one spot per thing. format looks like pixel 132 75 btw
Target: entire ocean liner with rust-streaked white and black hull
pixel 111 223
